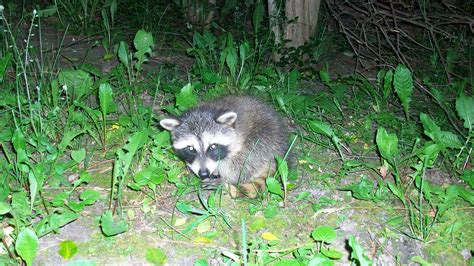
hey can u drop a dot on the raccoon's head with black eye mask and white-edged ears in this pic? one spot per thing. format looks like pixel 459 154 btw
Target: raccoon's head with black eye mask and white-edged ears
pixel 203 139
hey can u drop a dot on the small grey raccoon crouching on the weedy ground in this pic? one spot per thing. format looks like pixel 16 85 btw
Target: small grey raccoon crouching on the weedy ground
pixel 234 138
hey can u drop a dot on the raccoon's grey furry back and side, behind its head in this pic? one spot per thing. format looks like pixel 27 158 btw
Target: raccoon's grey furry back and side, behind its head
pixel 262 132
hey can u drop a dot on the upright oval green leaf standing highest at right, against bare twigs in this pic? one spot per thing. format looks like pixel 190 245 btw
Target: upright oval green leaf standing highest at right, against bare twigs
pixel 403 84
